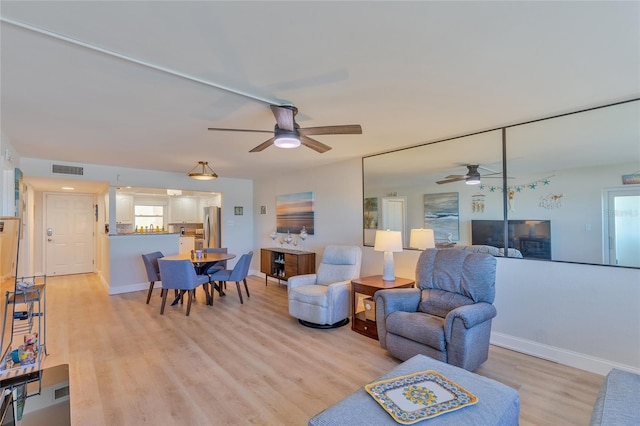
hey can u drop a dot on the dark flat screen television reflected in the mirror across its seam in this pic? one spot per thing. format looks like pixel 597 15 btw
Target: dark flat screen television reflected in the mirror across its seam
pixel 531 237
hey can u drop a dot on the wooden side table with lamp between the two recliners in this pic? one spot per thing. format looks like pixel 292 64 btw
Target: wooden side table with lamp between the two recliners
pixel 363 289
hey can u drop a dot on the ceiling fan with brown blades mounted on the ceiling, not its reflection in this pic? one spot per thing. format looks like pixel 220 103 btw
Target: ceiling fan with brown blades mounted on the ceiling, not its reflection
pixel 288 134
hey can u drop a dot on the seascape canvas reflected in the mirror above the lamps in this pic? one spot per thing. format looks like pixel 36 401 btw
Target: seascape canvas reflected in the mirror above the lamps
pixel 441 214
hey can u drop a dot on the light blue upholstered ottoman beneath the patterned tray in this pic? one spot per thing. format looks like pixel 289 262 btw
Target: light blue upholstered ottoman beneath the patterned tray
pixel 497 404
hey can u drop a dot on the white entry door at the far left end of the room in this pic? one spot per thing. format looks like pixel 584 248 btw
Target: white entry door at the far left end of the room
pixel 69 225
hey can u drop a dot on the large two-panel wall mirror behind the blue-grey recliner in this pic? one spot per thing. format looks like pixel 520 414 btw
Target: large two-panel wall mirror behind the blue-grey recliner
pixel 571 191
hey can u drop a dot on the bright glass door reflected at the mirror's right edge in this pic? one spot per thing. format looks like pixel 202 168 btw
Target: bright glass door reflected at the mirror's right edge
pixel 622 230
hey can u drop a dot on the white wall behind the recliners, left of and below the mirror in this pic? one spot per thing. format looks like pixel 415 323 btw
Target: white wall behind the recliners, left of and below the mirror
pixel 581 315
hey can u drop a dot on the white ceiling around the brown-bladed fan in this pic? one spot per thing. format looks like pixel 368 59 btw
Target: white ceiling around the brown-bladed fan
pixel 113 82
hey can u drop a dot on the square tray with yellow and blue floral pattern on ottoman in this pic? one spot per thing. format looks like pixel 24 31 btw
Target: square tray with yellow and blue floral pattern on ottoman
pixel 419 396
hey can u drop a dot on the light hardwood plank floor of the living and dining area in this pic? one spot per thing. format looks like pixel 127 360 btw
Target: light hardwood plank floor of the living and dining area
pixel 233 364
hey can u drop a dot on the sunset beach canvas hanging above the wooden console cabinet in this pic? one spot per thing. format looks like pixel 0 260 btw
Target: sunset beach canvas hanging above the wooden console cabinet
pixel 293 211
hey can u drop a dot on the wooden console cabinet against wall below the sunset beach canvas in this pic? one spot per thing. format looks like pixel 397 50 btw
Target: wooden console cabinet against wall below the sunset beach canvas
pixel 283 263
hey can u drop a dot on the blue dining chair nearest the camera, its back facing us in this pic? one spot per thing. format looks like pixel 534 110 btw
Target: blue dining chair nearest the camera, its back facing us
pixel 181 275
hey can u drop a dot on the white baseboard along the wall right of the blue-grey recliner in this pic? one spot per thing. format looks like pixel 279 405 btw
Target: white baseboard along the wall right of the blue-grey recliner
pixel 559 355
